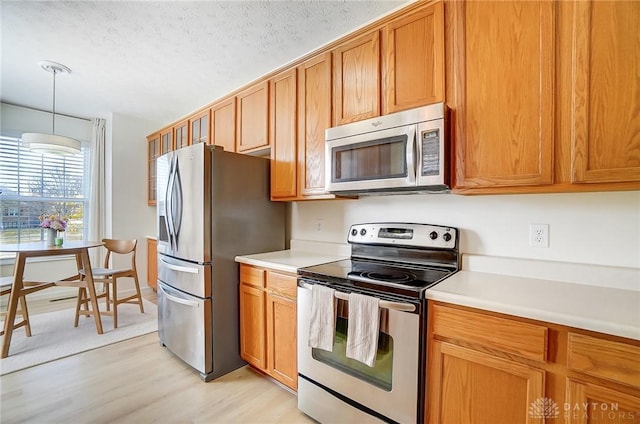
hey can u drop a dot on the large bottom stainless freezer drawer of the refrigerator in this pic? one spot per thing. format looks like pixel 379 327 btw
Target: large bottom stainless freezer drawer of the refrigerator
pixel 184 327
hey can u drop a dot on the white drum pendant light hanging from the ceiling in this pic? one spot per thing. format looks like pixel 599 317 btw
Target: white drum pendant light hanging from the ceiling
pixel 51 143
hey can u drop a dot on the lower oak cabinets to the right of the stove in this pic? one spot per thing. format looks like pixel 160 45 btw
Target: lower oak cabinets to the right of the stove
pixel 484 367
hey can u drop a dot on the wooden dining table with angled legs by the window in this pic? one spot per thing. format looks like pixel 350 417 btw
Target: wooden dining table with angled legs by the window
pixel 22 287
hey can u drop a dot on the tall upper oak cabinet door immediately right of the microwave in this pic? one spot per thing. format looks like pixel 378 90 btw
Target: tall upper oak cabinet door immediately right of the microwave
pixel 500 69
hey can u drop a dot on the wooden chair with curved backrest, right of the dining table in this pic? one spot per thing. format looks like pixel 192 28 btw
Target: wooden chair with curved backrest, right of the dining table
pixel 109 276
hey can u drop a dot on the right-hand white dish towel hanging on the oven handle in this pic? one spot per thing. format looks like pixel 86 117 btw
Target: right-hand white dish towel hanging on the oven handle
pixel 363 329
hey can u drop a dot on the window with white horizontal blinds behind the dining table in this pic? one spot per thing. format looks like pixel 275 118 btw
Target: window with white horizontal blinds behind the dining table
pixel 32 185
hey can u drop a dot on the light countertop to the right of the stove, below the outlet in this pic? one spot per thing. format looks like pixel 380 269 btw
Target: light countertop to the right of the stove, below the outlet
pixel 609 310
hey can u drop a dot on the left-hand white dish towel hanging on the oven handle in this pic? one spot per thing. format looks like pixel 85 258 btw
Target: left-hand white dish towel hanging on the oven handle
pixel 322 325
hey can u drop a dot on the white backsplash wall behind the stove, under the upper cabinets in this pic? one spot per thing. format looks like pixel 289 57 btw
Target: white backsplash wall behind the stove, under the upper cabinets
pixel 590 228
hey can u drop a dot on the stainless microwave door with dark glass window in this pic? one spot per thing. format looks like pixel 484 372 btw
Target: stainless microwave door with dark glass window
pixel 379 160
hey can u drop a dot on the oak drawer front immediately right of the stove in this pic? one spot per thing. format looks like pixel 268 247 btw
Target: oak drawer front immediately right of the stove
pixel 504 334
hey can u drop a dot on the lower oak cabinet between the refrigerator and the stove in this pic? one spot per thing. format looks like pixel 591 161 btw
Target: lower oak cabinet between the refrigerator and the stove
pixel 268 322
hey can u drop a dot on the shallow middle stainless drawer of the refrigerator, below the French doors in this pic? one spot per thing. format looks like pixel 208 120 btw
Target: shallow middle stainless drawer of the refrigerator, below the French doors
pixel 185 276
